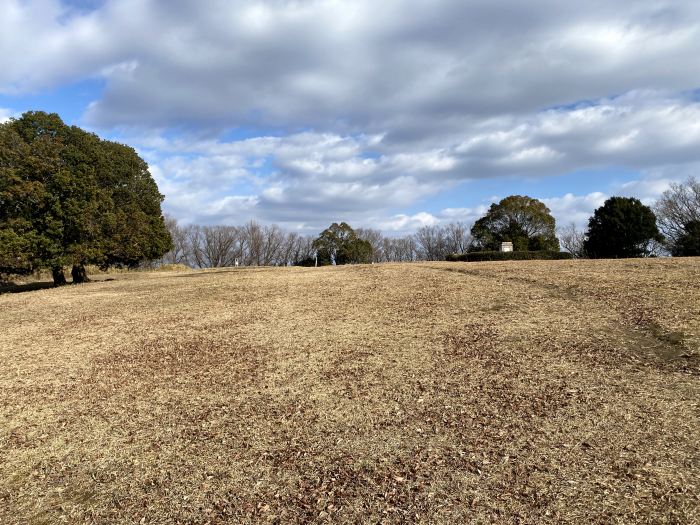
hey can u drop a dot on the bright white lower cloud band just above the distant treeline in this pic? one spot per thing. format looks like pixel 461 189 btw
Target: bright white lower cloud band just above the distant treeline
pixel 311 178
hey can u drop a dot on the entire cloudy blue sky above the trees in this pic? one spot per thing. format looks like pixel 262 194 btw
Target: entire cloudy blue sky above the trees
pixel 390 115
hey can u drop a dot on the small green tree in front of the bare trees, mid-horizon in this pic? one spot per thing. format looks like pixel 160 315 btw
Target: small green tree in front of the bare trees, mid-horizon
pixel 340 244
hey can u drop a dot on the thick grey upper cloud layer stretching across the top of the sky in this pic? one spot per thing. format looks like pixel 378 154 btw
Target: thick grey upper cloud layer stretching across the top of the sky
pixel 355 63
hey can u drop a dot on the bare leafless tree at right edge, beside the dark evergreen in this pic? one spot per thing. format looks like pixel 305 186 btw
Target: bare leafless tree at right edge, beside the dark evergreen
pixel 678 207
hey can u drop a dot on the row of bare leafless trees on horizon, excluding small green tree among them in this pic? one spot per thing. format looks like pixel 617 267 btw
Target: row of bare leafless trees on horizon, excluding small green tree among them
pixel 254 244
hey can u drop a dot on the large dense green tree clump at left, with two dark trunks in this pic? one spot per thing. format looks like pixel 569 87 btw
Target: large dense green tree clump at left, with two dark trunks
pixel 68 198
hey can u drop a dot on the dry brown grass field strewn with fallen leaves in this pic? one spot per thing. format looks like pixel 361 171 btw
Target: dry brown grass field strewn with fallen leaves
pixel 519 392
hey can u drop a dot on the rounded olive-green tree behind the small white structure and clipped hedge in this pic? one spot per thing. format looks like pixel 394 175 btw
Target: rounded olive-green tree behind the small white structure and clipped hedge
pixel 522 220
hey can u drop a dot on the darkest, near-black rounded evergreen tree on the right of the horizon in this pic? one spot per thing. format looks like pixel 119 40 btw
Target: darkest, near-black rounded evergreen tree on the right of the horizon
pixel 621 227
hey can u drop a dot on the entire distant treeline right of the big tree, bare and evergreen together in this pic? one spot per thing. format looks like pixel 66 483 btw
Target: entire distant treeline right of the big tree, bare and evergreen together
pixel 622 227
